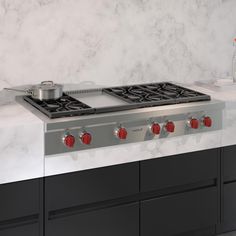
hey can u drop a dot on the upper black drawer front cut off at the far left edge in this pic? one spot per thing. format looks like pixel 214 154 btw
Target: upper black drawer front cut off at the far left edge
pixel 19 199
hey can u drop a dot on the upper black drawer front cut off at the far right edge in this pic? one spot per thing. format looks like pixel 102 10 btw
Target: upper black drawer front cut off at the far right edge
pixel 229 163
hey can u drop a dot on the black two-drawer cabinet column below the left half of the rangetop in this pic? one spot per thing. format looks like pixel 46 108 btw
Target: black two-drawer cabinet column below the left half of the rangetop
pixel 84 203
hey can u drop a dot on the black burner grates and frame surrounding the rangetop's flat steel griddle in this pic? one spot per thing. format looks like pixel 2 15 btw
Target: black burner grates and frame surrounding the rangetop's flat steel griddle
pixel 135 96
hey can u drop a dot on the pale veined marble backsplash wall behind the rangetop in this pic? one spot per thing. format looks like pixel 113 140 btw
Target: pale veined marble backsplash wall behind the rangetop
pixel 115 42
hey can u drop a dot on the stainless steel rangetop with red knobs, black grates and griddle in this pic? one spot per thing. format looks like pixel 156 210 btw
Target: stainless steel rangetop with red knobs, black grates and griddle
pixel 86 119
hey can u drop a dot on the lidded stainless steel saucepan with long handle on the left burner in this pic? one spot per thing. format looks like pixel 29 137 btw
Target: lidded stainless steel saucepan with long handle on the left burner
pixel 45 91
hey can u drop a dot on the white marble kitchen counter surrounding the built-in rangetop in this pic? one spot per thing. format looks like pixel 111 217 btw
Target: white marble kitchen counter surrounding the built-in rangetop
pixel 22 143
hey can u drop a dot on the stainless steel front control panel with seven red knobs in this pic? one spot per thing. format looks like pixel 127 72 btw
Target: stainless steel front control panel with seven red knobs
pixel 81 133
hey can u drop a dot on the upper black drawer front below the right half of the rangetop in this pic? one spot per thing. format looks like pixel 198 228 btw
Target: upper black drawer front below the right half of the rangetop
pixel 178 170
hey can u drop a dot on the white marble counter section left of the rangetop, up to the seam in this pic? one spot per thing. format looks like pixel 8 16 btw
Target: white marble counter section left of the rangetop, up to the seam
pixel 21 144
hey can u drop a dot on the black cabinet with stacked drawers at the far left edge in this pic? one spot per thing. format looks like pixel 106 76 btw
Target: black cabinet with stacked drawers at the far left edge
pixel 20 208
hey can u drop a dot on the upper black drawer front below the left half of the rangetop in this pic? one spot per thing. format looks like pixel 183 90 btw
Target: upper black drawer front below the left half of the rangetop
pixel 90 186
